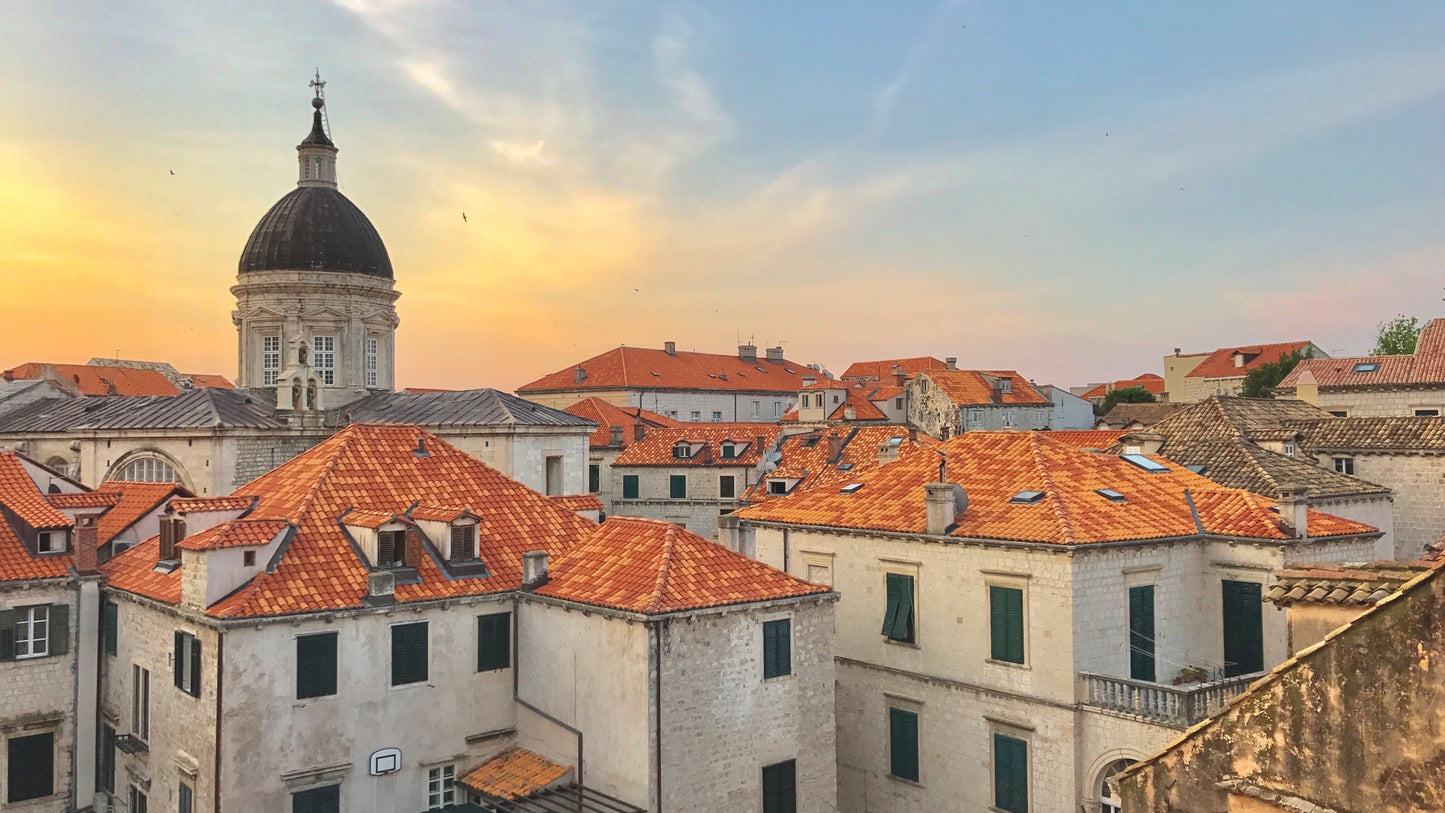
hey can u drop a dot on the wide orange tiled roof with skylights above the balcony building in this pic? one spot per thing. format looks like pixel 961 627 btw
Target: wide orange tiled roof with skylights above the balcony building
pixel 993 467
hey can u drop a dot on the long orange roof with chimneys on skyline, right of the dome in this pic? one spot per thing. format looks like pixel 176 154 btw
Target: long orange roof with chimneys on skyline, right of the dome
pixel 645 369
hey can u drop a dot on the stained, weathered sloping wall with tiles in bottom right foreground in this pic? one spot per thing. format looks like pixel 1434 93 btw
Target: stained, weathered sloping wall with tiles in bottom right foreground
pixel 1350 723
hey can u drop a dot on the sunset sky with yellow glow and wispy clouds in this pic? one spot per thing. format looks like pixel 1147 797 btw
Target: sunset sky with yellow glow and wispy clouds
pixel 1067 190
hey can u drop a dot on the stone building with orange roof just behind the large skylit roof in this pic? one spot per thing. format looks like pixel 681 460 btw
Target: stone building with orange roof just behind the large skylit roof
pixel 949 402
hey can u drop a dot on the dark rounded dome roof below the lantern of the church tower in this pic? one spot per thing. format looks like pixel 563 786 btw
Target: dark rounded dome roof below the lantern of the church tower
pixel 316 229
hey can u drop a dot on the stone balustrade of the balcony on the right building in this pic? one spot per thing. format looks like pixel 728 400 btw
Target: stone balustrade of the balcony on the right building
pixel 1178 707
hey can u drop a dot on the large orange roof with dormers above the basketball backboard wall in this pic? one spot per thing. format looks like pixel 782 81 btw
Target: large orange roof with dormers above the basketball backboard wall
pixel 374 469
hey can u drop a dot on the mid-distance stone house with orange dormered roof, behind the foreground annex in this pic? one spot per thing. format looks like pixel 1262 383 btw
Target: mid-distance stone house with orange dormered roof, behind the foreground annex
pixel 693 474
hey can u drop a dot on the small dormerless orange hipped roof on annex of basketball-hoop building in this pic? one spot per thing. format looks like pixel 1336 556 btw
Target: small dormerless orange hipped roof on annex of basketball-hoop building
pixel 654 568
